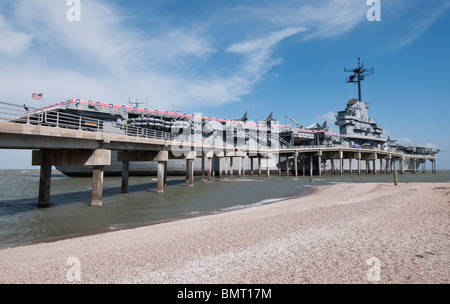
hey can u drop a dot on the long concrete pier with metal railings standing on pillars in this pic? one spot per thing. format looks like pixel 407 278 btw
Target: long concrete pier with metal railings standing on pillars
pixel 70 140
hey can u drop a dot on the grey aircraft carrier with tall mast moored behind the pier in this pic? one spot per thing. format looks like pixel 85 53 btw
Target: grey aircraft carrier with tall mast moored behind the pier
pixel 356 129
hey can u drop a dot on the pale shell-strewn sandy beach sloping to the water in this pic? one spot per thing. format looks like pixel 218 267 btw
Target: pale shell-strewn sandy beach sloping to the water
pixel 345 233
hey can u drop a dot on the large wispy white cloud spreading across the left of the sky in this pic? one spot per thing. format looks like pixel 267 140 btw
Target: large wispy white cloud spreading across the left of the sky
pixel 104 57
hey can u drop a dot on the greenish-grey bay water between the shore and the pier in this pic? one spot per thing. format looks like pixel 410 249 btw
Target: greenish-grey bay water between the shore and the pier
pixel 70 214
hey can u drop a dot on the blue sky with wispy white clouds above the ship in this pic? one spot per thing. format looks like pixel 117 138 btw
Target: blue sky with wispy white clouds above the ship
pixel 222 58
